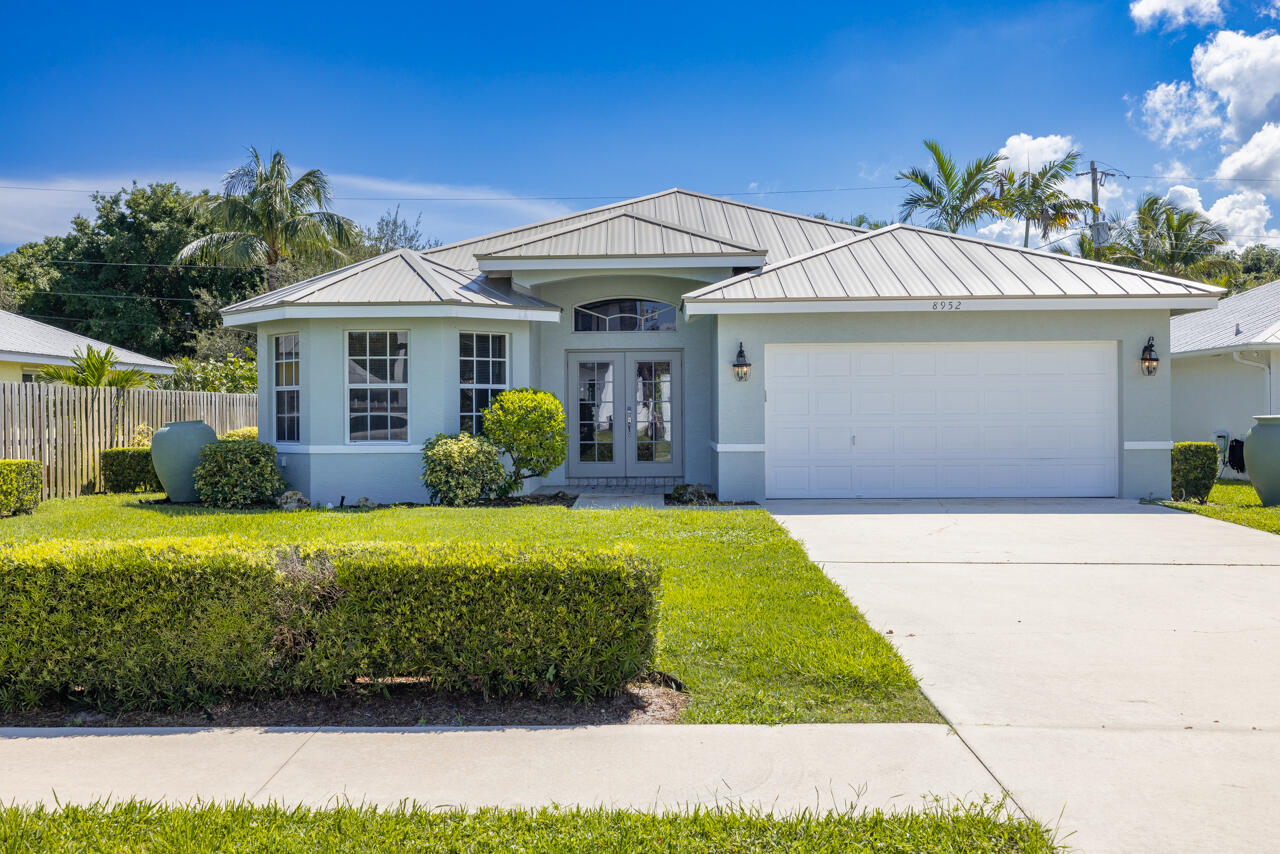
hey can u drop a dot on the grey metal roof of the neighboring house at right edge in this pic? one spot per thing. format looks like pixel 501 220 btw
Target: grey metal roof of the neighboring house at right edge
pixel 1242 322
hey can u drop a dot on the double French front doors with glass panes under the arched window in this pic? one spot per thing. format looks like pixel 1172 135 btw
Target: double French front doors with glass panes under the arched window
pixel 625 414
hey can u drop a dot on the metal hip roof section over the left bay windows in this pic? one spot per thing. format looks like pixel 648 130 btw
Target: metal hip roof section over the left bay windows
pixel 396 277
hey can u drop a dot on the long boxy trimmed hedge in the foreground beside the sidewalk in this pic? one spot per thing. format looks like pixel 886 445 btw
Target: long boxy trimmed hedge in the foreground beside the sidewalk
pixel 181 622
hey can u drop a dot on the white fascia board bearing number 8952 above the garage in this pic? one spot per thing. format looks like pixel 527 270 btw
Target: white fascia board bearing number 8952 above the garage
pixel 948 304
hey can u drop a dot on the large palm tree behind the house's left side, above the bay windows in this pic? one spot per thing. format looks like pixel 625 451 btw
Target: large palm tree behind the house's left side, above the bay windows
pixel 266 218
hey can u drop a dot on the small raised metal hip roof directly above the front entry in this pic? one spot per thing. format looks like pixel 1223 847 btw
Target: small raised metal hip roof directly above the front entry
pixel 623 235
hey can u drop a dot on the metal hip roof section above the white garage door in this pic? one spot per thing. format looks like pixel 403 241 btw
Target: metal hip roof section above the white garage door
pixel 907 262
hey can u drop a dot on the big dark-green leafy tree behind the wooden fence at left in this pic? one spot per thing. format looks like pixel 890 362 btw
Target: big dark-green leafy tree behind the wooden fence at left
pixel 113 277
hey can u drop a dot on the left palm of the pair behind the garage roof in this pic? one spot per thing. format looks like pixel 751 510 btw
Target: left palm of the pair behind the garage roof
pixel 954 198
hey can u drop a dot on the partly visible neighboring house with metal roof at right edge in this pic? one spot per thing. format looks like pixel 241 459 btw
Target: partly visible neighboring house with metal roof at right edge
pixel 1227 367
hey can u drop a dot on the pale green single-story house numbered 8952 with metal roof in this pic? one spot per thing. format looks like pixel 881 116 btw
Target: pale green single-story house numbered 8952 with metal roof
pixel 900 363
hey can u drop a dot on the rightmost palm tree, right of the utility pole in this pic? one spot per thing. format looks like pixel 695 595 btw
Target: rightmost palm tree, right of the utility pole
pixel 1168 239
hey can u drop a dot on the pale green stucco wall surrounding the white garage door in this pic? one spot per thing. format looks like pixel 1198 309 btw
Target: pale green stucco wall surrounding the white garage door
pixel 1144 407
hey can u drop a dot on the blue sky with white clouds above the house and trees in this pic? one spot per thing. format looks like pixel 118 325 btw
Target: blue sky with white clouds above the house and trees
pixel 612 101
